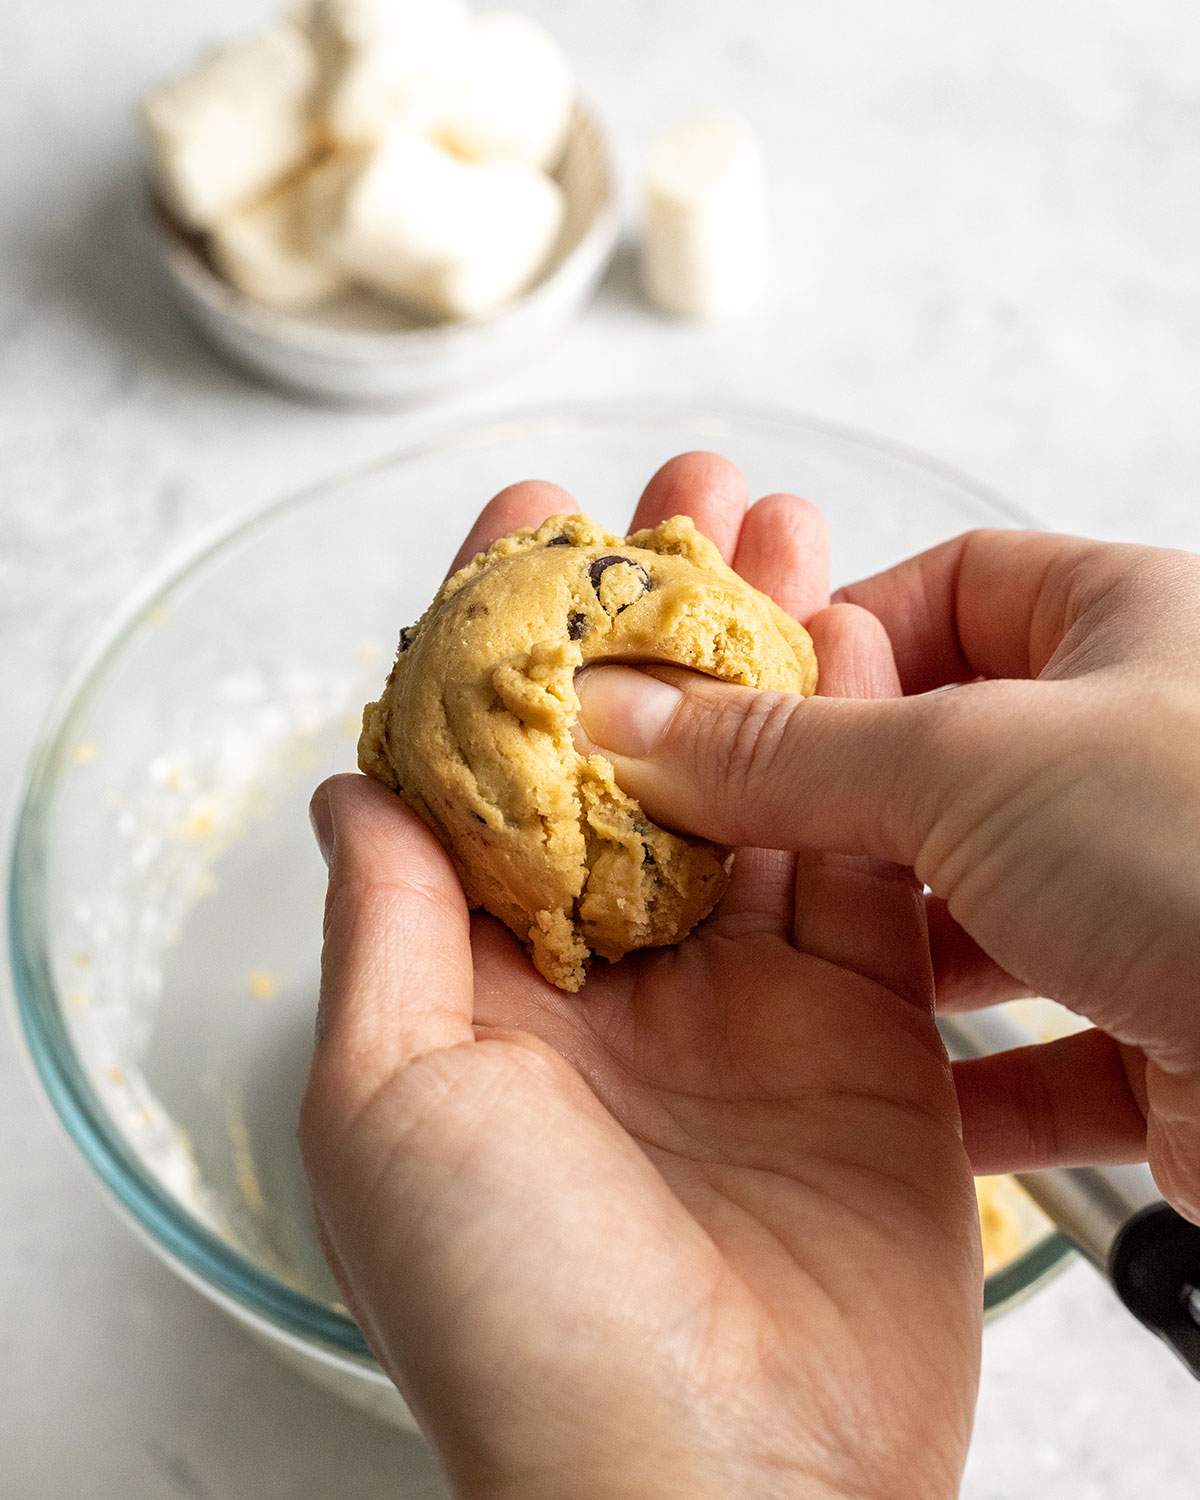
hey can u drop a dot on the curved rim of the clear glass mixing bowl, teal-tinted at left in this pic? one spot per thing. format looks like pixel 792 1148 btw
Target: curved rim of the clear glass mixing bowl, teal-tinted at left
pixel 200 1256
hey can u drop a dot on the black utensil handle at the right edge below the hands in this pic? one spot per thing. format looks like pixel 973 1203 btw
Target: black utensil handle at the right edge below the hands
pixel 1156 1268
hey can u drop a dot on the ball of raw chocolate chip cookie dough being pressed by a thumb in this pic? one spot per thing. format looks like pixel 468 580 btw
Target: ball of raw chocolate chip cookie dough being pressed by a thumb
pixel 475 728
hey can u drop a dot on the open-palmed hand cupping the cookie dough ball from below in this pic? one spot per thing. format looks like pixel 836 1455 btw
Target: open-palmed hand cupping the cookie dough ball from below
pixel 704 1229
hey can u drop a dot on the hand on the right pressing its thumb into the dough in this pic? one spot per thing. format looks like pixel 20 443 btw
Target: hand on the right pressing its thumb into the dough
pixel 1052 805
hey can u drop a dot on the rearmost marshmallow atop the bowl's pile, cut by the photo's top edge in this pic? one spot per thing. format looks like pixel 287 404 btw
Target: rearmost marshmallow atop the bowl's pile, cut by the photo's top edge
pixel 385 61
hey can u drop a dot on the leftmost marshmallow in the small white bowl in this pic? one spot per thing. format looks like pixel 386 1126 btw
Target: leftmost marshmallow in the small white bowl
pixel 235 125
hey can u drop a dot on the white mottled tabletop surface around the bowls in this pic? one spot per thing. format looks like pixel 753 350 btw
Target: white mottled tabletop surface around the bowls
pixel 988 244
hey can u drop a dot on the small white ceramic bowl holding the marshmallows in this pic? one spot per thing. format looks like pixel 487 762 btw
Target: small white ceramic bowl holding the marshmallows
pixel 361 349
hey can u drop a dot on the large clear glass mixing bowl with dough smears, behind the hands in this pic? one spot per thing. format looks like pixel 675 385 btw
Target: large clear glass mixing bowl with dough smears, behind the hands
pixel 166 895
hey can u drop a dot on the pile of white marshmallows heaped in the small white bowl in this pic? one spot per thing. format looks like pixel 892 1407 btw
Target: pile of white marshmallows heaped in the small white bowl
pixel 403 146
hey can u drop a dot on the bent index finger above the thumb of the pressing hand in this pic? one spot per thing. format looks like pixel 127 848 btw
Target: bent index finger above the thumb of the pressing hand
pixel 989 604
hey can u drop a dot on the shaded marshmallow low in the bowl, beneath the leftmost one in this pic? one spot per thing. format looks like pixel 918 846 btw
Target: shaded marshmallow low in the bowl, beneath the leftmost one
pixel 263 248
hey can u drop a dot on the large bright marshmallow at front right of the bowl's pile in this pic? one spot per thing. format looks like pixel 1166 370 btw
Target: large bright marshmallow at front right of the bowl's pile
pixel 448 238
